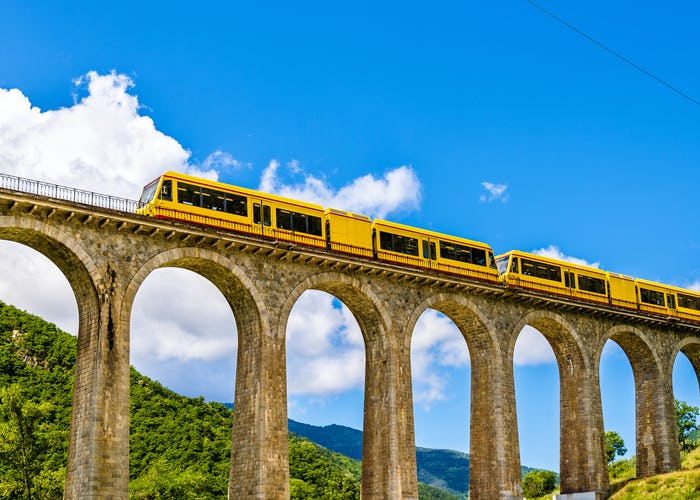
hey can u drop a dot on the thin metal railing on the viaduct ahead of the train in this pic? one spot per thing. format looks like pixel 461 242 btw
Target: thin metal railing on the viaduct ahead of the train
pixel 67 193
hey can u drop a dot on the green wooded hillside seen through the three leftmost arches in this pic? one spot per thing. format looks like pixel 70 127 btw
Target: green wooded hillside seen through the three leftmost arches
pixel 179 447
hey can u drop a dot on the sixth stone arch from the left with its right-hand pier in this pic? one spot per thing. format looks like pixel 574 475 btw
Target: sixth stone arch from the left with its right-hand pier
pixel 656 439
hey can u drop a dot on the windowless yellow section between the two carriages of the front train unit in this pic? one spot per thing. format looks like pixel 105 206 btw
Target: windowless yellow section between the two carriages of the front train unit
pixel 348 232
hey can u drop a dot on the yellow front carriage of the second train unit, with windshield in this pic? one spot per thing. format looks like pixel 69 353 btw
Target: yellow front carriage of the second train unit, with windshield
pixel 536 272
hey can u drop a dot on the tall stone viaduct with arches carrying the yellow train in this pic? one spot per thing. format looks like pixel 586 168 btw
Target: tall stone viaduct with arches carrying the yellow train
pixel 106 254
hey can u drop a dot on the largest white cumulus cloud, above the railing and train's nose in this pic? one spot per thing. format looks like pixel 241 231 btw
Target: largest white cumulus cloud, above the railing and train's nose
pixel 101 140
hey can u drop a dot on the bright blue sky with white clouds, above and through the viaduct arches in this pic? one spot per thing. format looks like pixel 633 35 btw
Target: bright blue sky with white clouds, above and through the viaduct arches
pixel 486 120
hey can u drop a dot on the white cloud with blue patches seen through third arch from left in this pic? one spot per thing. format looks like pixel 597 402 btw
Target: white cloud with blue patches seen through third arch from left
pixel 325 348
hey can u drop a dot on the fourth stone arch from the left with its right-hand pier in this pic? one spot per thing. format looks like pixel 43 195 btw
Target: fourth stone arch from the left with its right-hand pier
pixel 494 450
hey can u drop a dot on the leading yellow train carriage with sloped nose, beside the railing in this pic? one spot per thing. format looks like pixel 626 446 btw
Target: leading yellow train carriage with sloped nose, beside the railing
pixel 201 201
